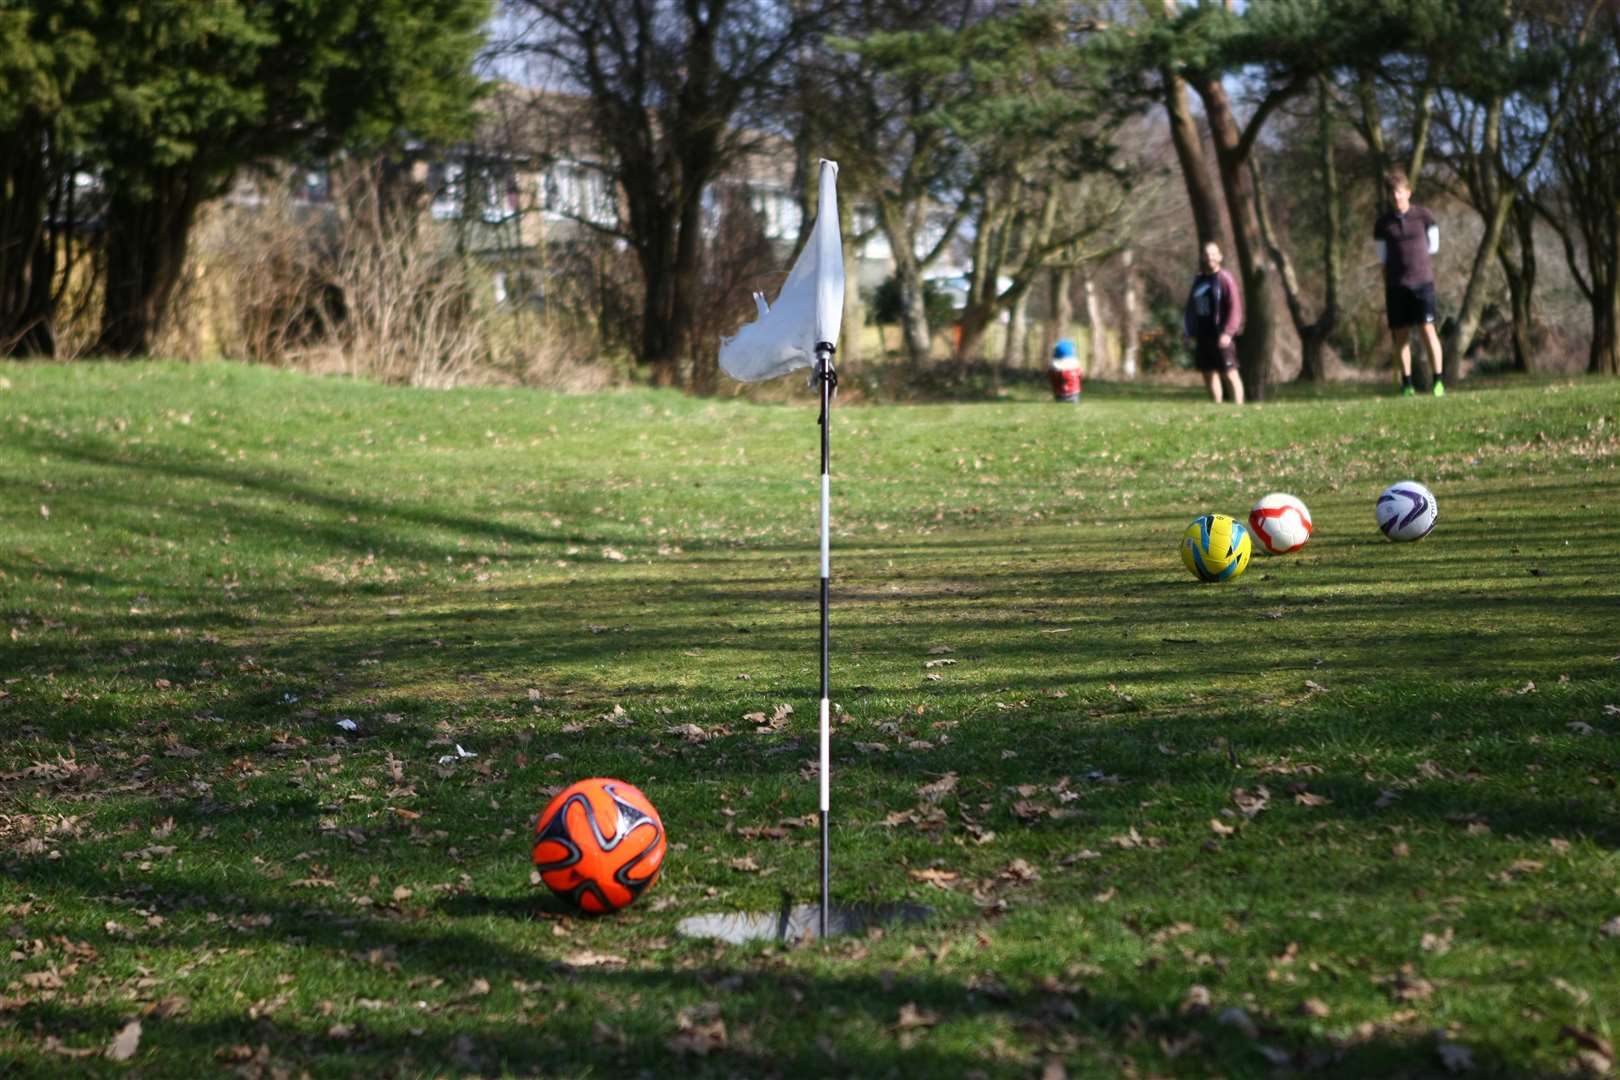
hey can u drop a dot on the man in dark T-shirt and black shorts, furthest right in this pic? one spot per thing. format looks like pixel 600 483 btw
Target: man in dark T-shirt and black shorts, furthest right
pixel 1405 237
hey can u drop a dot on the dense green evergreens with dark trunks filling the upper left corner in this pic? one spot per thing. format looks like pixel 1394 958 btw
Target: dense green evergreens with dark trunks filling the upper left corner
pixel 168 101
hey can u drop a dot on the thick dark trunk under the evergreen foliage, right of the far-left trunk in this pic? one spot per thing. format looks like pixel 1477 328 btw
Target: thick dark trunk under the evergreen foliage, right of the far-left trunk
pixel 147 252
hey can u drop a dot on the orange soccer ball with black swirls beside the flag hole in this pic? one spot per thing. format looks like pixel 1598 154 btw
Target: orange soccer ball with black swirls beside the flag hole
pixel 600 844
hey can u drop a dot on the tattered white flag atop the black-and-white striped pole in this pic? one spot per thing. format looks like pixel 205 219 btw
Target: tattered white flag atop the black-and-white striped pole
pixel 809 308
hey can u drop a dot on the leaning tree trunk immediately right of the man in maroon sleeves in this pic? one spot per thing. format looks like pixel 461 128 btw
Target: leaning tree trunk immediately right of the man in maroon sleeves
pixel 1260 336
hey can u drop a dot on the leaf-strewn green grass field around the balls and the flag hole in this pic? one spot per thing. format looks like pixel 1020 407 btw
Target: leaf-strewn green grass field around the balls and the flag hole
pixel 1355 814
